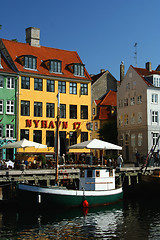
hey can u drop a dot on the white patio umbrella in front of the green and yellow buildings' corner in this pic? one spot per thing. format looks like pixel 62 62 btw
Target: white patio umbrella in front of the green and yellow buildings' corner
pixel 24 143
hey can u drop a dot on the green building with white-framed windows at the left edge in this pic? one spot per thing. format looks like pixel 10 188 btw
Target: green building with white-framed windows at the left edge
pixel 8 89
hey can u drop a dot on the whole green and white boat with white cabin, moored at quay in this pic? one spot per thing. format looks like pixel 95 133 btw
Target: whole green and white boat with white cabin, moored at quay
pixel 96 187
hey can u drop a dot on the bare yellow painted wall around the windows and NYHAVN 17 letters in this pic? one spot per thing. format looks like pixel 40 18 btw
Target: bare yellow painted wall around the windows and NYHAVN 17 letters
pixel 51 97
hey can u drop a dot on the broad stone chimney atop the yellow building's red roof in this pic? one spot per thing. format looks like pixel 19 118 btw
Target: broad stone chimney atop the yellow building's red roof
pixel 33 36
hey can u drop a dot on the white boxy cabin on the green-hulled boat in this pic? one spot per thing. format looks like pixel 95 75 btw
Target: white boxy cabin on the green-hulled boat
pixel 92 179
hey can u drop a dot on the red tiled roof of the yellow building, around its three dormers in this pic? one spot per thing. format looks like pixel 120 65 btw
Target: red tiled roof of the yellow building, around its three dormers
pixel 17 49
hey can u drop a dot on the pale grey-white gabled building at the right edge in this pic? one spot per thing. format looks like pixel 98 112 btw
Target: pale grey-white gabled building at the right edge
pixel 138 110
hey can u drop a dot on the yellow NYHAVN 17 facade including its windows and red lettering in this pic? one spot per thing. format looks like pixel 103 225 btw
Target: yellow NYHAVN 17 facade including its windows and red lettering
pixel 38 113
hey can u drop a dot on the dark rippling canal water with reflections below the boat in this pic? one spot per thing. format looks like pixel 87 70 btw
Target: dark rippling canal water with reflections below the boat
pixel 129 219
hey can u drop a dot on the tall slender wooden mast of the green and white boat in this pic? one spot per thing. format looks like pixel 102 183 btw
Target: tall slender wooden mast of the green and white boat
pixel 57 136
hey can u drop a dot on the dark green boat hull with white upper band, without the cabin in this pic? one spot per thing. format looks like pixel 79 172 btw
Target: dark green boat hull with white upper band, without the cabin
pixel 54 197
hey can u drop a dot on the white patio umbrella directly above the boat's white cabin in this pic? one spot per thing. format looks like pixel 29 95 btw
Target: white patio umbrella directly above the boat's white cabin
pixel 96 144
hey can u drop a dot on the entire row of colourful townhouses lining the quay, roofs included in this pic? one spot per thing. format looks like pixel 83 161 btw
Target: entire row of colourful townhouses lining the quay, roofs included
pixel 30 78
